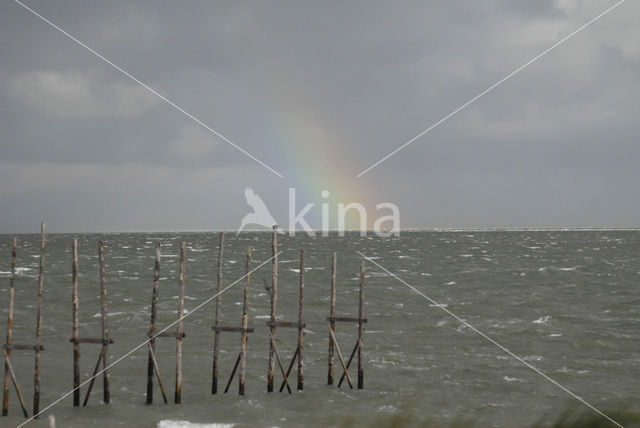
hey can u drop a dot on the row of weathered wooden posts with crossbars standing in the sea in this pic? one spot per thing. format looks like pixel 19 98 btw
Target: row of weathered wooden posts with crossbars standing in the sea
pixel 153 370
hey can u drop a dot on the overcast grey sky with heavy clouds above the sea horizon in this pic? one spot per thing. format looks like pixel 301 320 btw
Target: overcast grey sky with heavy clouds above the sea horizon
pixel 318 91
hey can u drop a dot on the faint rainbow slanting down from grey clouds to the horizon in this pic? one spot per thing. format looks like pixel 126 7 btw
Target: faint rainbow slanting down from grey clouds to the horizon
pixel 308 153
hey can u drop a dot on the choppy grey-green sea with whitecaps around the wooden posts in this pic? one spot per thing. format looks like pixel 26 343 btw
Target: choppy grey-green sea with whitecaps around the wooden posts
pixel 567 302
